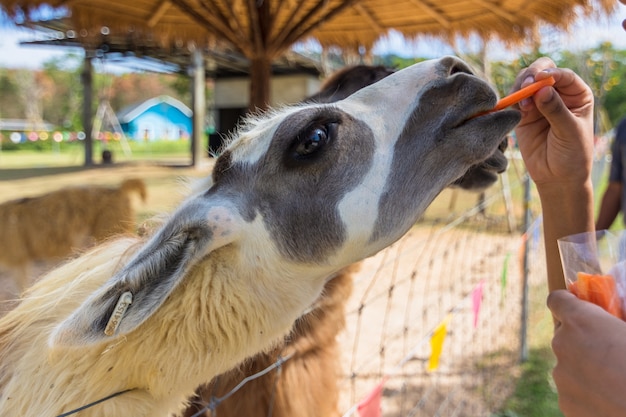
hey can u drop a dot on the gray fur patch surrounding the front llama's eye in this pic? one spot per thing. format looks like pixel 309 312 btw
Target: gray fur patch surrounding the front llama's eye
pixel 297 196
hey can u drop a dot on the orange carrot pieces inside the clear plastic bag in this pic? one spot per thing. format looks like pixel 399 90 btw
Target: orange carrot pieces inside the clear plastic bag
pixel 598 289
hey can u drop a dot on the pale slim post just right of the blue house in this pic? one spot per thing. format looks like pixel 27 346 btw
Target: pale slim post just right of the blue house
pixel 199 108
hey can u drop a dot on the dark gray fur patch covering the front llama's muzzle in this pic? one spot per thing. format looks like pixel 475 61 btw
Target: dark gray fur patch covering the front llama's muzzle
pixel 437 146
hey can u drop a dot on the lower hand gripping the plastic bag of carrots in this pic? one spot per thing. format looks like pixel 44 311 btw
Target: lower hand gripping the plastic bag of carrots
pixel 590 346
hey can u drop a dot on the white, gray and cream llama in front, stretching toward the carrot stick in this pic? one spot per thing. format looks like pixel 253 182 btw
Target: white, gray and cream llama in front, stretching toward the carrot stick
pixel 297 195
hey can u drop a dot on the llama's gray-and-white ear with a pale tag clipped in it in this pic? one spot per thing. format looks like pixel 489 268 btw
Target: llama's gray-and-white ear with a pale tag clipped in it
pixel 132 295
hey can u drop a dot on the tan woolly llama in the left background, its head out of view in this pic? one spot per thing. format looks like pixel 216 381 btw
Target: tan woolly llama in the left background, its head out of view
pixel 52 226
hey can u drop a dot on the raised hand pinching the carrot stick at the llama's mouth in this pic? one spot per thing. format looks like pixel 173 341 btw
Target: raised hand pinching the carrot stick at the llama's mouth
pixel 555 134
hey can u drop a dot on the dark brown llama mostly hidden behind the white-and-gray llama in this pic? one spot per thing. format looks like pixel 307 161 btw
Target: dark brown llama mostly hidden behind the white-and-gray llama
pixel 312 343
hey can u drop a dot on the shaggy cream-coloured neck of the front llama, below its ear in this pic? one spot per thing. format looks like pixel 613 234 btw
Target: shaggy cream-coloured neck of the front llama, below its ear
pixel 221 316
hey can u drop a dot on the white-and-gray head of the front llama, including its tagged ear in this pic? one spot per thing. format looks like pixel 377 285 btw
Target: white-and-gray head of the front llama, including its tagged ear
pixel 307 190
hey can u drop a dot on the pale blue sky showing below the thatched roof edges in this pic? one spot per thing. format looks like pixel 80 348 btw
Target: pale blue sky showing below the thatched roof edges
pixel 583 35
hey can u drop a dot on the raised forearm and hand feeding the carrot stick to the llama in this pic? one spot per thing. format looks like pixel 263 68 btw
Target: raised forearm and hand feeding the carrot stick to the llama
pixel 555 137
